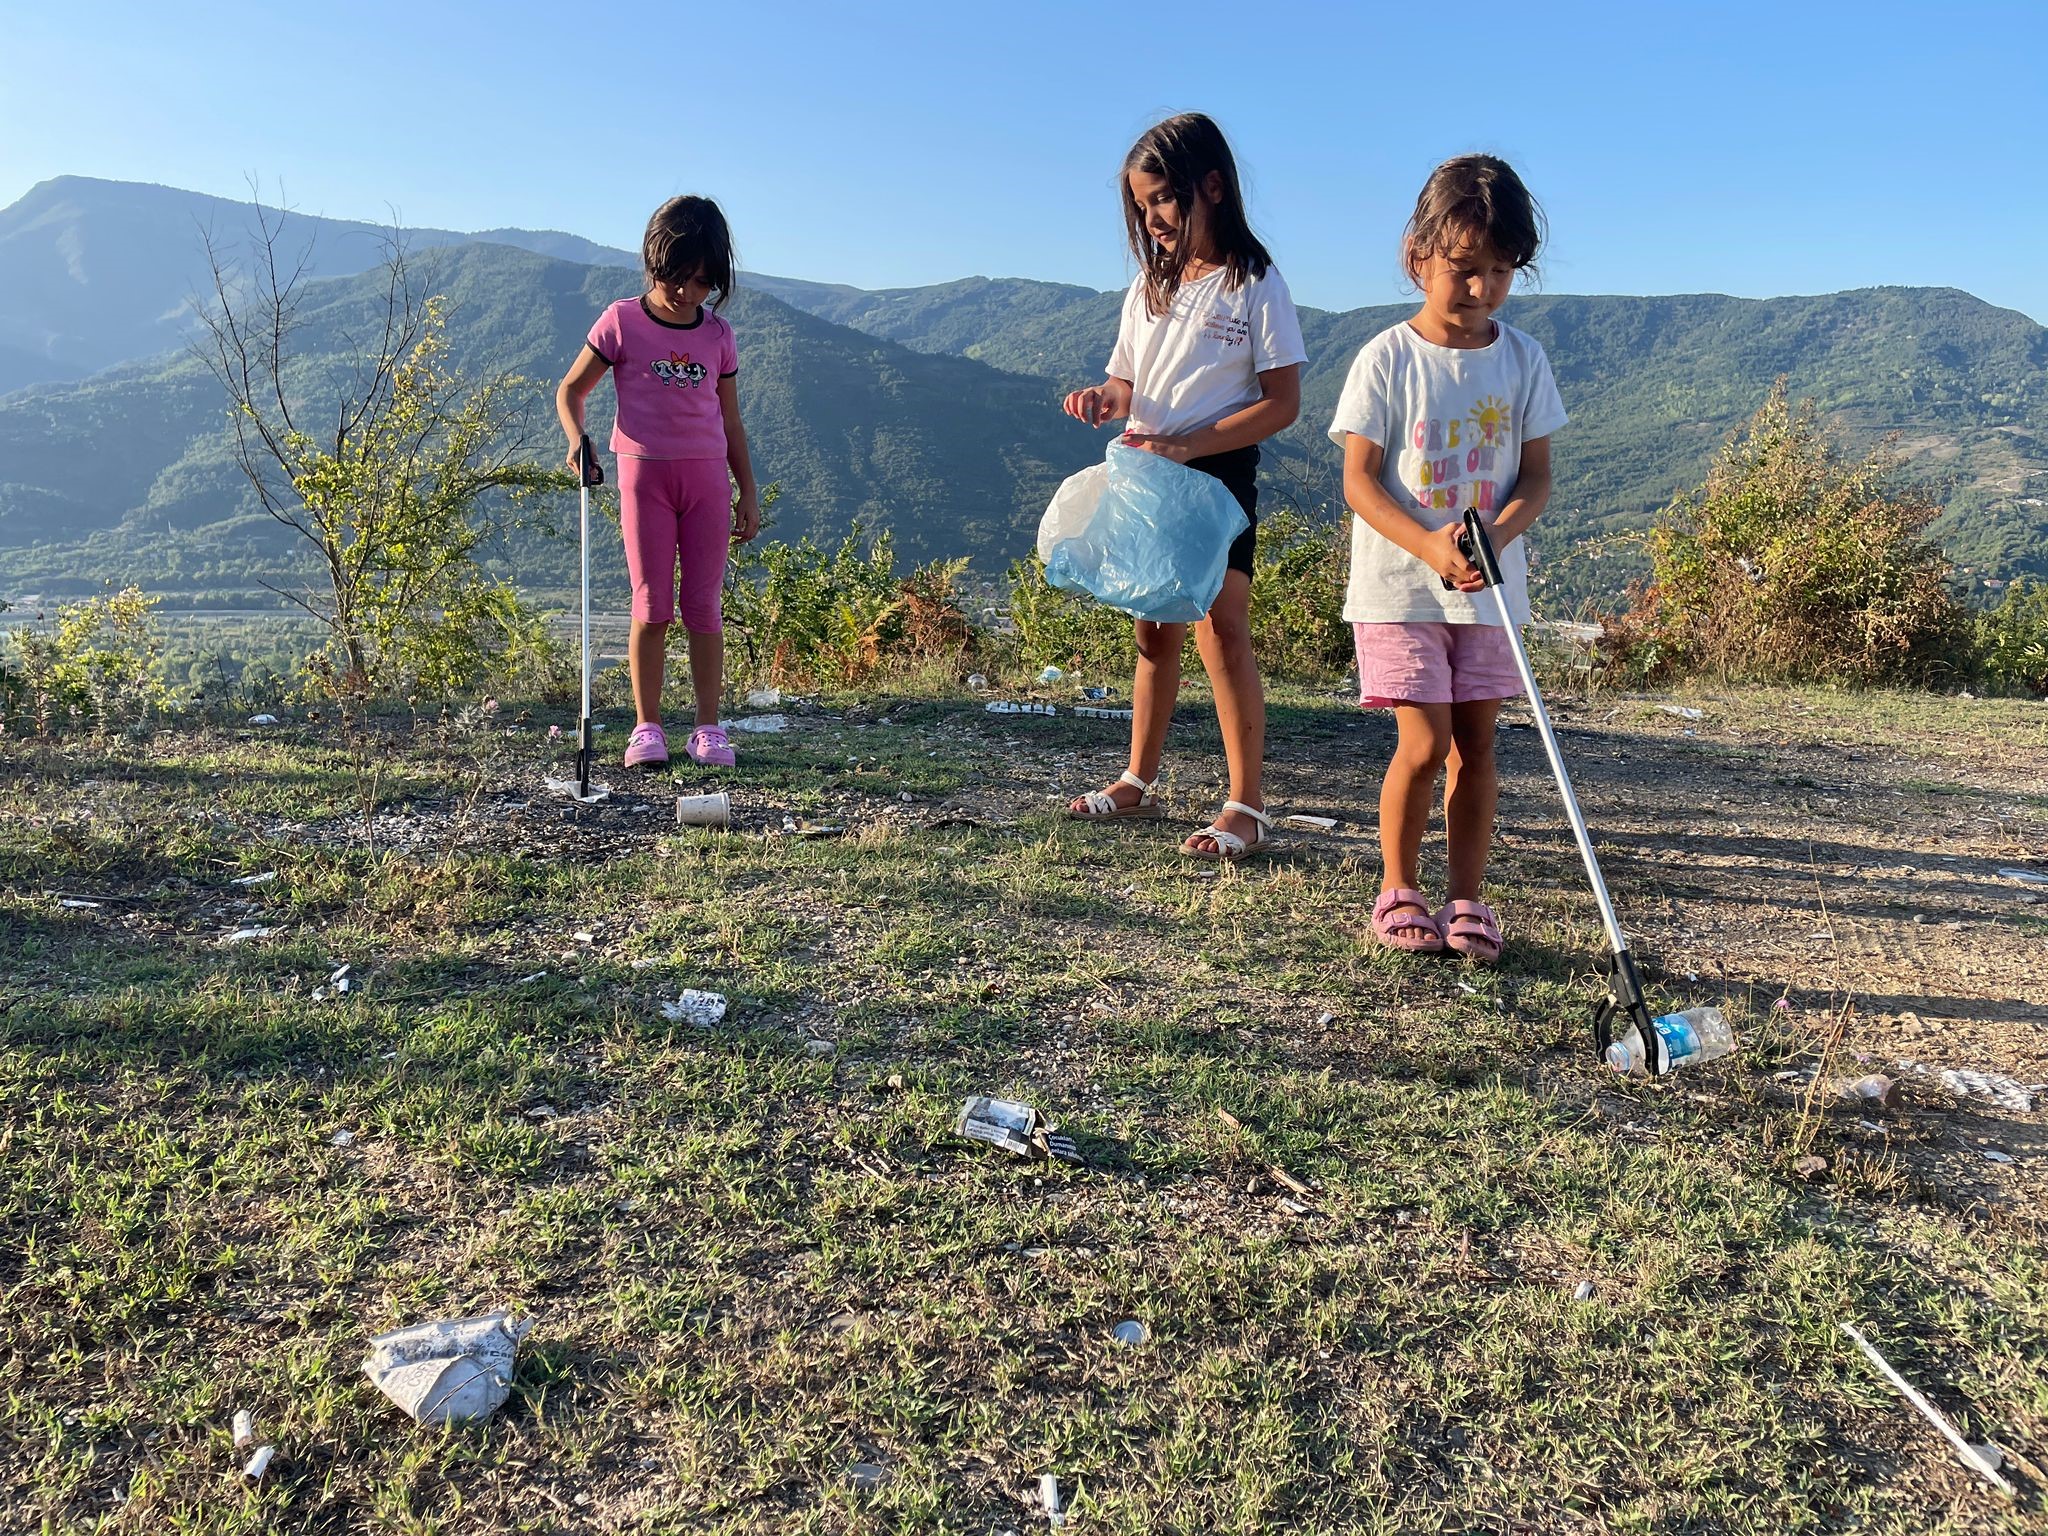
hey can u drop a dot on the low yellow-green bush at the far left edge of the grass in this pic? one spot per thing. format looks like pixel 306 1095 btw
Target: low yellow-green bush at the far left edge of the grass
pixel 97 667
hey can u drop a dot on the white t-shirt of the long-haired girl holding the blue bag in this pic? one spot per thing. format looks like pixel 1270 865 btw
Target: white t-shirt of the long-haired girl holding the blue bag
pixel 1203 359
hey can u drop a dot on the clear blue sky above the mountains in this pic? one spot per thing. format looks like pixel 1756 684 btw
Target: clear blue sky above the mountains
pixel 1736 148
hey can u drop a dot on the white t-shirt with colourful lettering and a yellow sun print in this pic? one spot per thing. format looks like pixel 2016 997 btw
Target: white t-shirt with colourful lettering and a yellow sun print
pixel 1451 423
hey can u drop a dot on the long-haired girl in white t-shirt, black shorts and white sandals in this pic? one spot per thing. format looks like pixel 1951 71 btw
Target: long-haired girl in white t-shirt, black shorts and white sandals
pixel 1207 368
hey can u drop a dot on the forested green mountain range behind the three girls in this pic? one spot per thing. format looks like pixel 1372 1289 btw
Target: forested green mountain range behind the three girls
pixel 929 413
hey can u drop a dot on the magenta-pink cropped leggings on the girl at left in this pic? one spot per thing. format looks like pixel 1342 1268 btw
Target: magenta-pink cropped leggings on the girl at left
pixel 677 511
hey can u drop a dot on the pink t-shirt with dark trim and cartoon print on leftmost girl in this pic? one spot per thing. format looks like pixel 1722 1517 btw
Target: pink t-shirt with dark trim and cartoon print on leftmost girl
pixel 669 380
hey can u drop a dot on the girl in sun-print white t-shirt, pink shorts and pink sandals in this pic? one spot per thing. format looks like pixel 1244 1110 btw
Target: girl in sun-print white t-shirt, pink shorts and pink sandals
pixel 1439 415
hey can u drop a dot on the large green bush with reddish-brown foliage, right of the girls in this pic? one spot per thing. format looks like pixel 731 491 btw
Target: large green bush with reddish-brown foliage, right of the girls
pixel 1793 564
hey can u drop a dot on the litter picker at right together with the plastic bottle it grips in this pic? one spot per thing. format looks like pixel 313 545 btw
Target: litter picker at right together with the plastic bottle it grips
pixel 1625 1033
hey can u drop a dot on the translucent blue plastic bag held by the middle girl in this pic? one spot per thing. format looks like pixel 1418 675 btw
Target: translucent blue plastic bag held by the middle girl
pixel 1144 536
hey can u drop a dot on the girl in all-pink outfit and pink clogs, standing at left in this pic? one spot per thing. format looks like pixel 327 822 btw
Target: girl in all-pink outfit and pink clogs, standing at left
pixel 681 452
